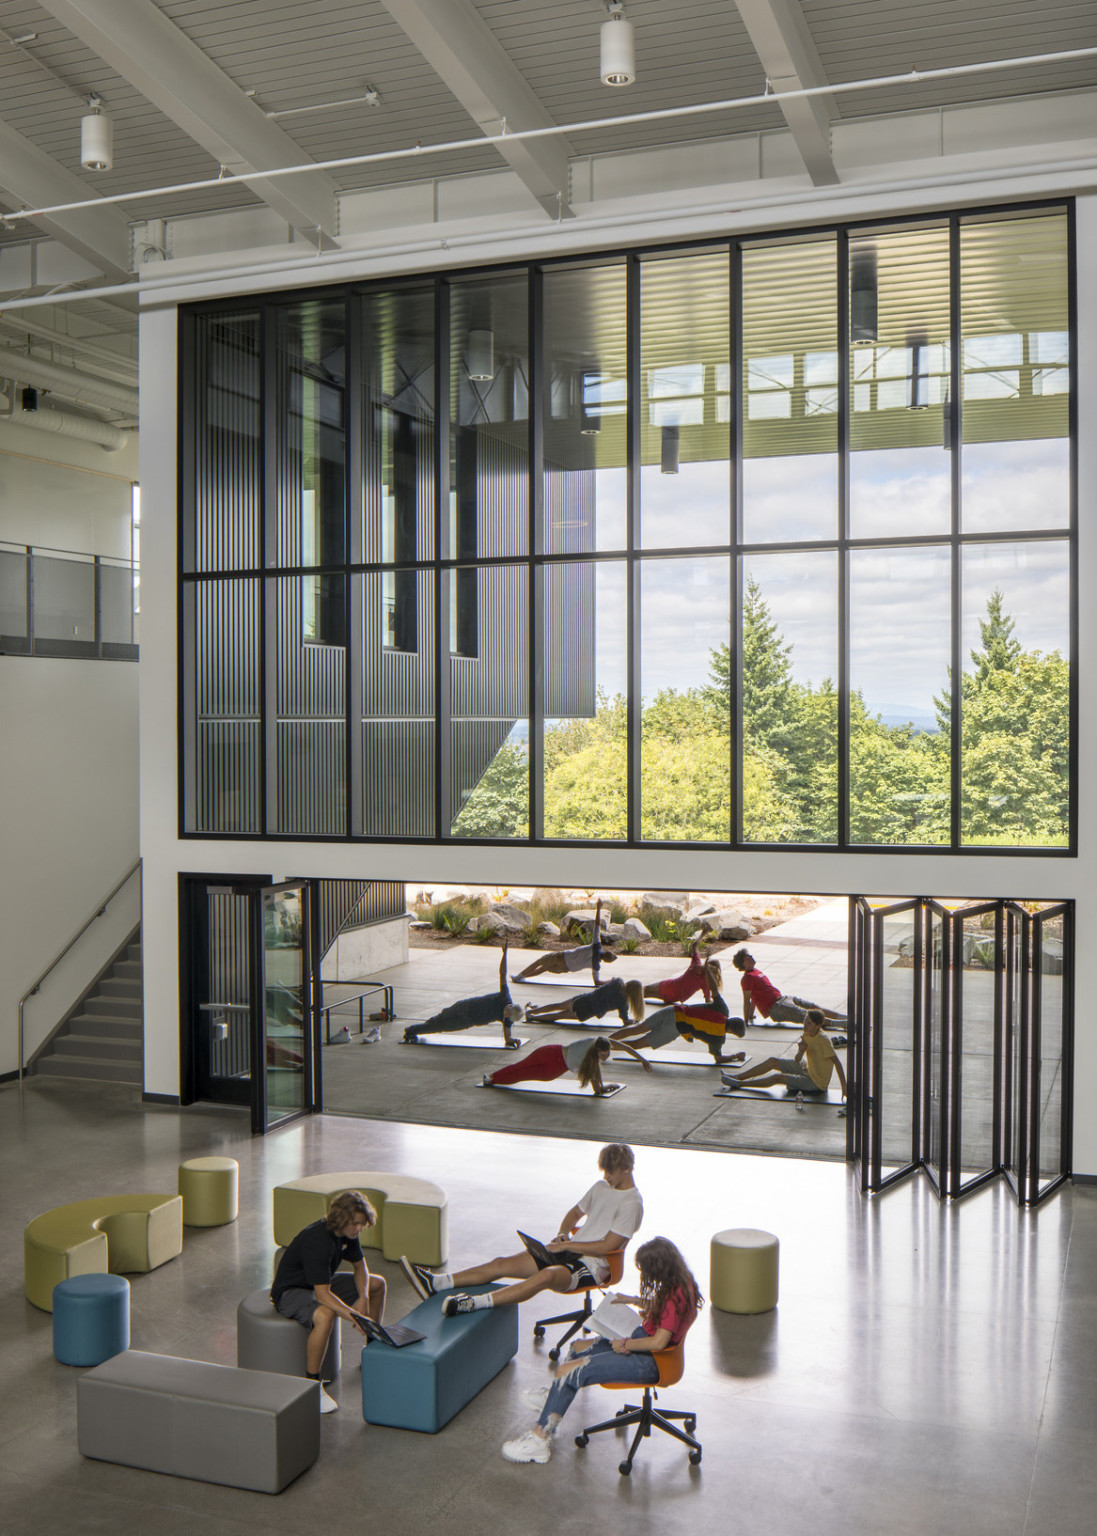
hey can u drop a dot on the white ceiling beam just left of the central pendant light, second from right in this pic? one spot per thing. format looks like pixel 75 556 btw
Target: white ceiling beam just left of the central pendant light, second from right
pixel 474 65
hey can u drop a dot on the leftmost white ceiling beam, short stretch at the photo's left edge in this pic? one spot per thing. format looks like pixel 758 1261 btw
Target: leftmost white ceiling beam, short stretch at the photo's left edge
pixel 33 179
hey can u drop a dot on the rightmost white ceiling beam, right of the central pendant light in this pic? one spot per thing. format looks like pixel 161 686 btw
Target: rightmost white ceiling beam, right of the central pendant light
pixel 789 56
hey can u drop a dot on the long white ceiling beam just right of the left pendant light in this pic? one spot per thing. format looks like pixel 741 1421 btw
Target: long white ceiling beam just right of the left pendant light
pixel 141 44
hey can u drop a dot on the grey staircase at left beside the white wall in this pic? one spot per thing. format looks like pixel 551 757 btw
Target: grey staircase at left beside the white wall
pixel 102 1039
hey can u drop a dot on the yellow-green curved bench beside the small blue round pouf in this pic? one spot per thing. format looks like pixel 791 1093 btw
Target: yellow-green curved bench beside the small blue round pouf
pixel 113 1234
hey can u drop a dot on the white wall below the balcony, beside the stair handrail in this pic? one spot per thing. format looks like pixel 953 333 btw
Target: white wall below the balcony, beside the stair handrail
pixel 68 816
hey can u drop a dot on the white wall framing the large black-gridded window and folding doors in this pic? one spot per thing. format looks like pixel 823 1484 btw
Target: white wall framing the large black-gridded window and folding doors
pixel 873 875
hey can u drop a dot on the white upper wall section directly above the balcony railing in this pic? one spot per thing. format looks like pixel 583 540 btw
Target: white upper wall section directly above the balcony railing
pixel 65 495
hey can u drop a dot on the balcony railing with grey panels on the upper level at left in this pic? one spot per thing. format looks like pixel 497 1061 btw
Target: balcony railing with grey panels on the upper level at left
pixel 61 603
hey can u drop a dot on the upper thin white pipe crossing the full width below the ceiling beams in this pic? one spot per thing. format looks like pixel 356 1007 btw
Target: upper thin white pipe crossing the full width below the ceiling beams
pixel 658 114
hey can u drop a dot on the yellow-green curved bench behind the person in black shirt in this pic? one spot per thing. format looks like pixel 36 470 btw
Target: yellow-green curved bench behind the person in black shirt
pixel 411 1213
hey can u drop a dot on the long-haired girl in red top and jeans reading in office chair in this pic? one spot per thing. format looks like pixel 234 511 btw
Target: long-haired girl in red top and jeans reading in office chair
pixel 669 1305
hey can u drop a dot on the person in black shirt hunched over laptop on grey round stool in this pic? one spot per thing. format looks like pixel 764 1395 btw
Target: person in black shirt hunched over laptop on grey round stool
pixel 310 1291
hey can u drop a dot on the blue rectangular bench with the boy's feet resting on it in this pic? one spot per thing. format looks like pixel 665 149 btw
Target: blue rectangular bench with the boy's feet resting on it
pixel 422 1386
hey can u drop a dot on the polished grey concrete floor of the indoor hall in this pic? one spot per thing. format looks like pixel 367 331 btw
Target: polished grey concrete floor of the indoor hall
pixel 927 1371
